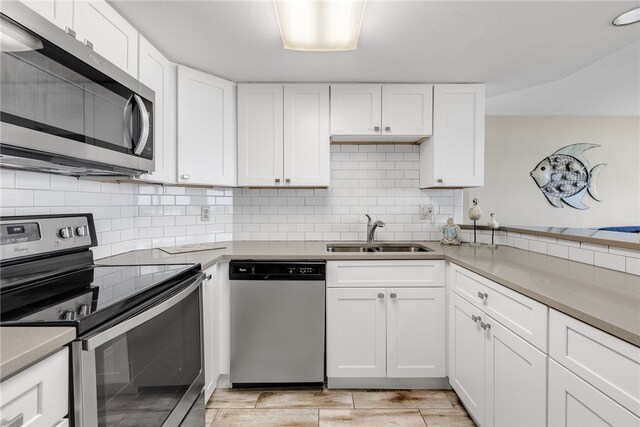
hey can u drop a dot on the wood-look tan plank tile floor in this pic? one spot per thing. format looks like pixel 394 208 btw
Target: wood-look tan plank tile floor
pixel 329 408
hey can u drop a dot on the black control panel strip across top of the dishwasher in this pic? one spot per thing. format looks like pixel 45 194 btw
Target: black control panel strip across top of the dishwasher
pixel 277 270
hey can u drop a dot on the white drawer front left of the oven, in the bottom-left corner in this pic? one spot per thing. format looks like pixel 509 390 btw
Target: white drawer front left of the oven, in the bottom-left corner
pixel 39 394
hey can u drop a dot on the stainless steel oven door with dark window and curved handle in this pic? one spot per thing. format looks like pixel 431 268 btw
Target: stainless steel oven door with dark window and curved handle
pixel 145 370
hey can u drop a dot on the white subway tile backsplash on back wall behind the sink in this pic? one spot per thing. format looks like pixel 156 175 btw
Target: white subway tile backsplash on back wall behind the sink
pixel 381 180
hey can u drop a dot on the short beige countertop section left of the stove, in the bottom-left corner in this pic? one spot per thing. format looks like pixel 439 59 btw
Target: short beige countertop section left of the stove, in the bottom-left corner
pixel 21 346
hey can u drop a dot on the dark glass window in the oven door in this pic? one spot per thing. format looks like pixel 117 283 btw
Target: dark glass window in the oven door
pixel 142 375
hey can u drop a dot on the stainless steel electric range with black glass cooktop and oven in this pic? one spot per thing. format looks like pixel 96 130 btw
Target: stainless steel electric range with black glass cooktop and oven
pixel 137 359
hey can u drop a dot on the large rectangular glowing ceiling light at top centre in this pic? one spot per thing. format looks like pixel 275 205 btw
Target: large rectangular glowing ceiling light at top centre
pixel 320 25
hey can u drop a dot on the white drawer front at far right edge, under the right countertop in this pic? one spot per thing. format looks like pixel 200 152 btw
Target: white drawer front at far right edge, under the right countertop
pixel 606 362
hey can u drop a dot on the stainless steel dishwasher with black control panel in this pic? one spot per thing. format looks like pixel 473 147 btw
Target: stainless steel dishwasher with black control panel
pixel 277 322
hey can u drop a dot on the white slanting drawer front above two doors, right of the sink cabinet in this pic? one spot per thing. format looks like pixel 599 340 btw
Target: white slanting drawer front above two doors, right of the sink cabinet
pixel 520 314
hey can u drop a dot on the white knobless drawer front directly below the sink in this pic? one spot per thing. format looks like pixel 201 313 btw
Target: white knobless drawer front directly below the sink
pixel 355 274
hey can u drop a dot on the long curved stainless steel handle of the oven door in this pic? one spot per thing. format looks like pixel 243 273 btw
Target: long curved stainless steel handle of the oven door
pixel 92 342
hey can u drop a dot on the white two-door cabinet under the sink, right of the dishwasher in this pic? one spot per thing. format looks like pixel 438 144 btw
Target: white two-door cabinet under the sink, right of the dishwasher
pixel 384 331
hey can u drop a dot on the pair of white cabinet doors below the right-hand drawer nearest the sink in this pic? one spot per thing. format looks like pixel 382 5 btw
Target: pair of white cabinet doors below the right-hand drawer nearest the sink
pixel 500 377
